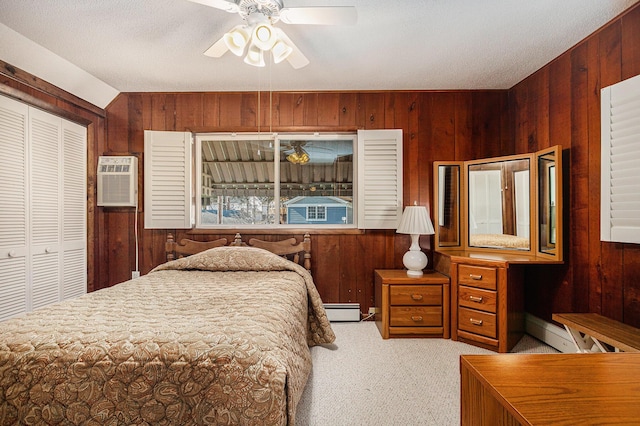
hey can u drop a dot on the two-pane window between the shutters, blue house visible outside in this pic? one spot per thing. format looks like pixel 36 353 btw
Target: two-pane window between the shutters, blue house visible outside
pixel 250 179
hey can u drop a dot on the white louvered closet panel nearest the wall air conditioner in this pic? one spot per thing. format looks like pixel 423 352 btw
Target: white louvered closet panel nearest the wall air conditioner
pixel 74 223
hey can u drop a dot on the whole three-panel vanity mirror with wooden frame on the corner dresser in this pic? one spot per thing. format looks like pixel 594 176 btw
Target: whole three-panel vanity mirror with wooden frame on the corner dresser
pixel 510 204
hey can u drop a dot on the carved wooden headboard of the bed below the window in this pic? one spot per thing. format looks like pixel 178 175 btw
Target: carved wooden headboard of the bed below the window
pixel 290 248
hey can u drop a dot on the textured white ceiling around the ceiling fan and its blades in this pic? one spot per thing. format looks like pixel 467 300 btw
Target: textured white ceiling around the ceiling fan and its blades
pixel 157 45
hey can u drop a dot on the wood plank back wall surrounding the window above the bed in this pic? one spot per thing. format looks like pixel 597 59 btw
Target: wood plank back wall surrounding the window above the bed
pixel 436 125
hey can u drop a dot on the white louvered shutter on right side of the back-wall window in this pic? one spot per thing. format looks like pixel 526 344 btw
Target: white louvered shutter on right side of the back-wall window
pixel 379 178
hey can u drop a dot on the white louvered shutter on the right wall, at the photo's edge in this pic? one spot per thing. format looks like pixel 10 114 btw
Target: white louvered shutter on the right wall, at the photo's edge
pixel 620 173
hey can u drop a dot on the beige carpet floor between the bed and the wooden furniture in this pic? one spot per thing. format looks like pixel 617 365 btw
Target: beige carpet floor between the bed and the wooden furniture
pixel 365 380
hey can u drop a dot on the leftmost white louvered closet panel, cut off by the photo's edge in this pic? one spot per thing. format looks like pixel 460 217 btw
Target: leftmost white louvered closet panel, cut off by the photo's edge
pixel 13 208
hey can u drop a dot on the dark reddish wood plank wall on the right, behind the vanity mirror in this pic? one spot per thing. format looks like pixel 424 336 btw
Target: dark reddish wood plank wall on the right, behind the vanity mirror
pixel 560 104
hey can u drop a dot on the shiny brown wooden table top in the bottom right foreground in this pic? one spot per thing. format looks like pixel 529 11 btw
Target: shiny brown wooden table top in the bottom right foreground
pixel 563 389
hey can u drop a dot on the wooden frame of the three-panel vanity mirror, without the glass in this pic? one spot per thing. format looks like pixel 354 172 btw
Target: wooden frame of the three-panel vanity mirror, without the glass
pixel 535 192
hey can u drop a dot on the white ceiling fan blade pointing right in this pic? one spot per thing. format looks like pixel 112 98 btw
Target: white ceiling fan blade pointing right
pixel 320 15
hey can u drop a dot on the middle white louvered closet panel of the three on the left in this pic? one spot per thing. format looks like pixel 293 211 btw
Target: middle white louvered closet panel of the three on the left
pixel 45 205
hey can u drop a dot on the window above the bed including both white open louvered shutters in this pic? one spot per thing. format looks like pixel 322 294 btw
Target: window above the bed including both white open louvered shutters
pixel 269 180
